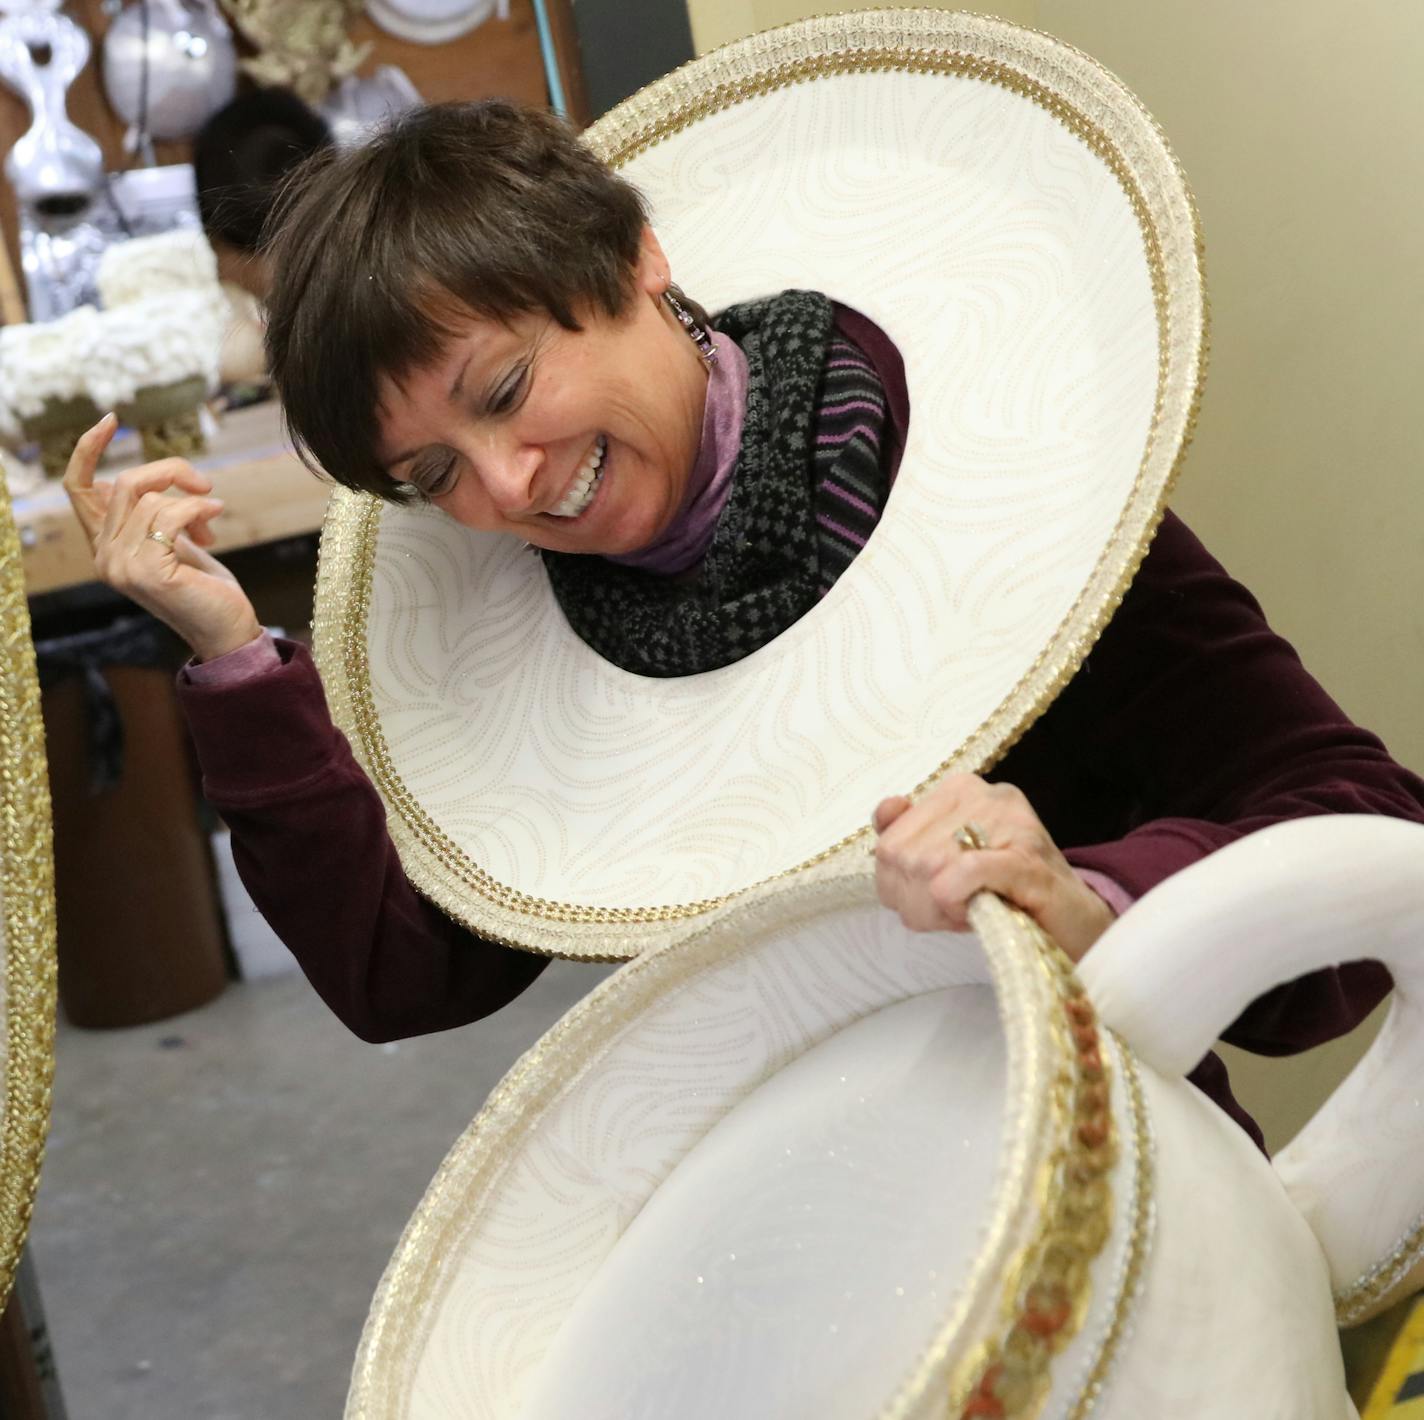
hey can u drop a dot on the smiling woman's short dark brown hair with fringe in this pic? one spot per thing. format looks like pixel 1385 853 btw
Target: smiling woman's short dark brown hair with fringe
pixel 483 209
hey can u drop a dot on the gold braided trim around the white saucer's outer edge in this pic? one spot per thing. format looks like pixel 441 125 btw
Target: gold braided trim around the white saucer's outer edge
pixel 922 42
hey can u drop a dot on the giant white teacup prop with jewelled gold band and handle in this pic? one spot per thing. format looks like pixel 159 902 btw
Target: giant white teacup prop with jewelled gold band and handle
pixel 810 1163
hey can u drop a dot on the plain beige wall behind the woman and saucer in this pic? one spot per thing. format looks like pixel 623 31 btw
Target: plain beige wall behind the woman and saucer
pixel 1301 125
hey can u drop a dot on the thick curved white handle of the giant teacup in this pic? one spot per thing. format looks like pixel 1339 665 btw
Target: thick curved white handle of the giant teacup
pixel 1176 971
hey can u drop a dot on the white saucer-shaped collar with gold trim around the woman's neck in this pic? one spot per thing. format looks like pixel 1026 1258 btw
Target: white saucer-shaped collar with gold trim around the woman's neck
pixel 1013 220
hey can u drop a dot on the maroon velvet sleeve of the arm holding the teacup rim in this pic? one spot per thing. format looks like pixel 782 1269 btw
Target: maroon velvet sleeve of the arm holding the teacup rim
pixel 1220 731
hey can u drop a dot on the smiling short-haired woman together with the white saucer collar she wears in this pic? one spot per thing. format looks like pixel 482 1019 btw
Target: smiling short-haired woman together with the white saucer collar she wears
pixel 737 640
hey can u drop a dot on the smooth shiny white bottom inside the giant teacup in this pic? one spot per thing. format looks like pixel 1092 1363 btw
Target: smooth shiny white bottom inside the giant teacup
pixel 798 1260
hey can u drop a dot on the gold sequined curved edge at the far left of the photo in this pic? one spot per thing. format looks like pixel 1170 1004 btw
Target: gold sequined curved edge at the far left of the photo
pixel 26 912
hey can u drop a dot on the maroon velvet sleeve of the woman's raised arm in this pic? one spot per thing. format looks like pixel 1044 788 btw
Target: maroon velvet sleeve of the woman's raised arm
pixel 311 845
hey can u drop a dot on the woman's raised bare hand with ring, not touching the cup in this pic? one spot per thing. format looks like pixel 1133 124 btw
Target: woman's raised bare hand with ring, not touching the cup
pixel 174 579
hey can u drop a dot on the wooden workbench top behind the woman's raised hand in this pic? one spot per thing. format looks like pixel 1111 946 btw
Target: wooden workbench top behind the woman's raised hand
pixel 268 494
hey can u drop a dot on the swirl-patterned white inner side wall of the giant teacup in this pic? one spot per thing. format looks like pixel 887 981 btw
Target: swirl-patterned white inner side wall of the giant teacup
pixel 518 1253
